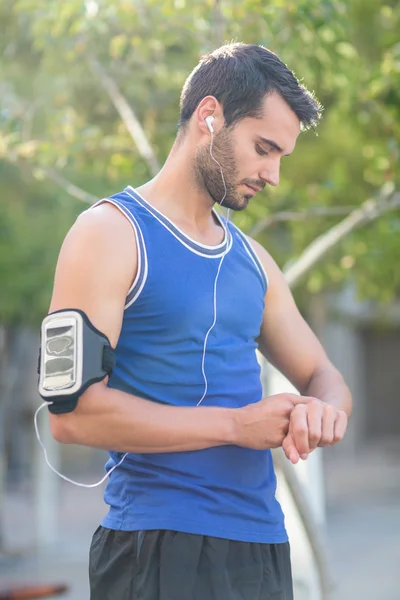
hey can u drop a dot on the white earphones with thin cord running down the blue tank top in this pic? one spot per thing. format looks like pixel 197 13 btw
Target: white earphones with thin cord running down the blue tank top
pixel 209 120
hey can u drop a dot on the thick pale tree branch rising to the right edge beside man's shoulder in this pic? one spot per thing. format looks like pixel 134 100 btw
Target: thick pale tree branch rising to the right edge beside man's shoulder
pixel 368 211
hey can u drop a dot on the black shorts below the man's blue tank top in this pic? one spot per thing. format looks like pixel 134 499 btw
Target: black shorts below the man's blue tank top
pixel 169 565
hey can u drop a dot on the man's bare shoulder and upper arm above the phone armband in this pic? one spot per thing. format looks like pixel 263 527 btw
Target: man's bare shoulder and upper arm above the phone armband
pixel 96 267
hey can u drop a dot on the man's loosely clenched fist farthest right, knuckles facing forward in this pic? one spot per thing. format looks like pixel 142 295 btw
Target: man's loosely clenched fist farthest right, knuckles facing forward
pixel 312 425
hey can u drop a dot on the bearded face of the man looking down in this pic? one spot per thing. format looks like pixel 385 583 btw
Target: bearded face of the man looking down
pixel 249 153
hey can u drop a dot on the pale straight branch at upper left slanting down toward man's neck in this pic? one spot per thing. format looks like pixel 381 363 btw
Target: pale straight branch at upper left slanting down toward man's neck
pixel 127 115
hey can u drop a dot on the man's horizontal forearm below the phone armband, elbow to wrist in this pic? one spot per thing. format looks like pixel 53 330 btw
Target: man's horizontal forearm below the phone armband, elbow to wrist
pixel 113 420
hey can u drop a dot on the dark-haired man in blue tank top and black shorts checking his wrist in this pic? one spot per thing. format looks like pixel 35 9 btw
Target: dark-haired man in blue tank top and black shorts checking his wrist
pixel 186 299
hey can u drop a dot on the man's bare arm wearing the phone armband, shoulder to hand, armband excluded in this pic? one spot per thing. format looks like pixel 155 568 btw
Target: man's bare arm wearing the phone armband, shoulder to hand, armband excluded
pixel 96 266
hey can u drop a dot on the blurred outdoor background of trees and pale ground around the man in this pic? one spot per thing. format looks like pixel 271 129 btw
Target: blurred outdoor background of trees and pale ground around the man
pixel 89 101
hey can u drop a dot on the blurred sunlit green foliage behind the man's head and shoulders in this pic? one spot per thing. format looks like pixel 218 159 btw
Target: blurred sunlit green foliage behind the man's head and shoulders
pixel 55 113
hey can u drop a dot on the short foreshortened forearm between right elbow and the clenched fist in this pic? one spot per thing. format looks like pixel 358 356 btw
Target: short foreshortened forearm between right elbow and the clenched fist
pixel 328 385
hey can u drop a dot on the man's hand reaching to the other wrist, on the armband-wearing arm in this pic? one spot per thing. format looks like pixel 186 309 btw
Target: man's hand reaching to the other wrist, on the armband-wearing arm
pixel 265 424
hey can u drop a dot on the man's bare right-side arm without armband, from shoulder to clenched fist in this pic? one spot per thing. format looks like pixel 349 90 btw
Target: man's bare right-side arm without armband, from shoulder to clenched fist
pixel 290 345
